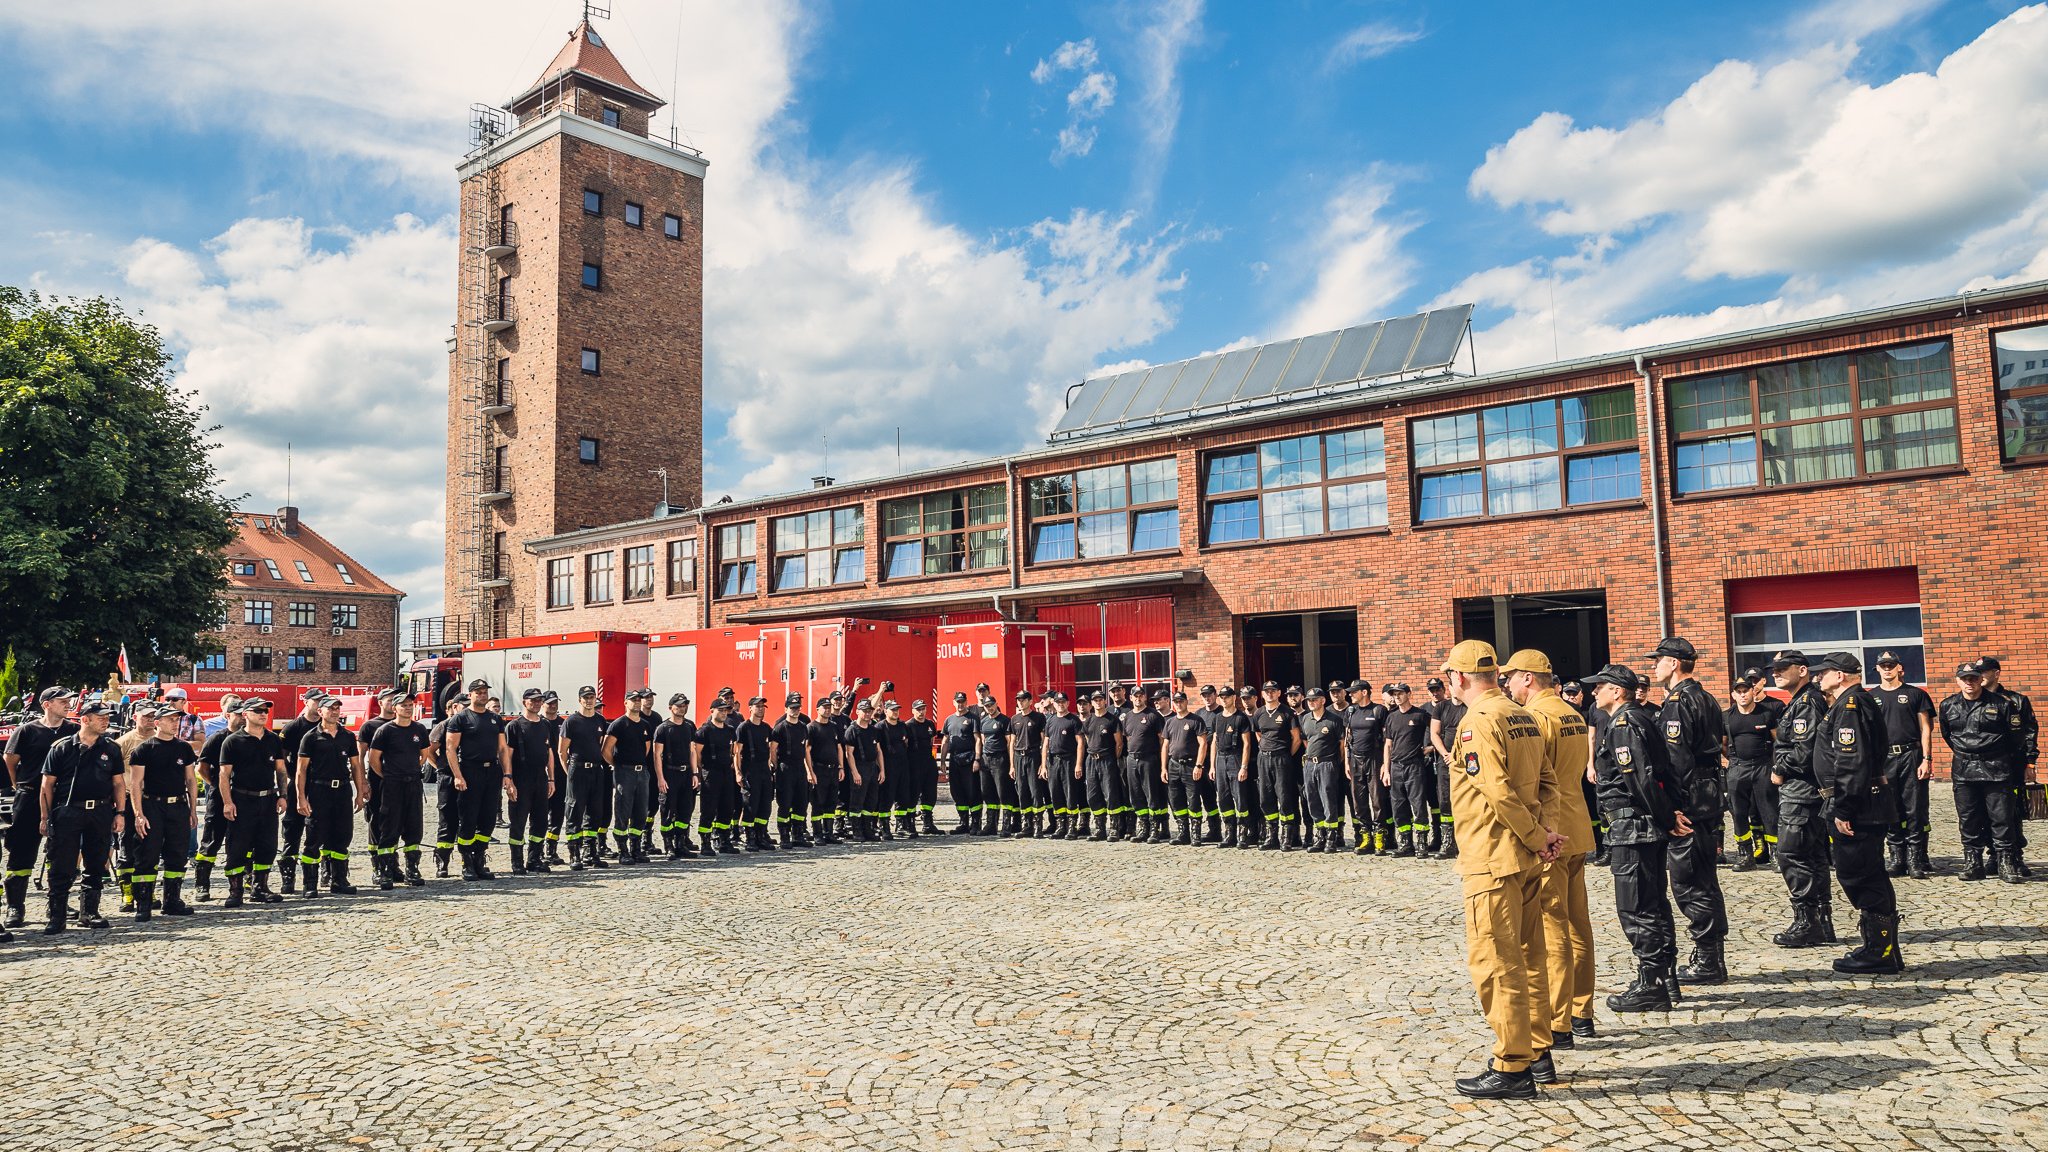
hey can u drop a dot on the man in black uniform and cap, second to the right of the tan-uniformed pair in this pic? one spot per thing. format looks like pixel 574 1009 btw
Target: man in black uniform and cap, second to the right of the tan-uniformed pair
pixel 1691 727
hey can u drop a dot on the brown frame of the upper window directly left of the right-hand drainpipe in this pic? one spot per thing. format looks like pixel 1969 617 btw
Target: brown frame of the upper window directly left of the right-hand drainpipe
pixel 1564 454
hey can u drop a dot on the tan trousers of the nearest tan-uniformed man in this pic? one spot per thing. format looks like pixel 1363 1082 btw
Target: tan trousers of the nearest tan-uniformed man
pixel 1506 954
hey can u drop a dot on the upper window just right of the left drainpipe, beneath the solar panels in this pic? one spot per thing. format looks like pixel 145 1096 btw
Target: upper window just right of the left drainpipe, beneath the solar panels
pixel 1105 511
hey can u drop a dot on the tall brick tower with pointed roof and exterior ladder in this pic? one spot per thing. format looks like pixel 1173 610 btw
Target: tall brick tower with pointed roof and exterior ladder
pixel 579 356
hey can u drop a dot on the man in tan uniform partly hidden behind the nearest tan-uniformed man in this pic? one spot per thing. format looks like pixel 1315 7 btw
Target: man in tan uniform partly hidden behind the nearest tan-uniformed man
pixel 1568 928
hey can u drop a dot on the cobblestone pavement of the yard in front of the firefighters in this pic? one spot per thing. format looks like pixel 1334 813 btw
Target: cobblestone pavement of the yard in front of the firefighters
pixel 988 995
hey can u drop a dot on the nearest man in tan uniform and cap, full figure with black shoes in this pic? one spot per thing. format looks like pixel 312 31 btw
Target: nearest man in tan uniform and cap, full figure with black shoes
pixel 1498 805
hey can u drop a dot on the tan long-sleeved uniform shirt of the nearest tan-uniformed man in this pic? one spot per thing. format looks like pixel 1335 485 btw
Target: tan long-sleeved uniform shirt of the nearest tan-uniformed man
pixel 1496 788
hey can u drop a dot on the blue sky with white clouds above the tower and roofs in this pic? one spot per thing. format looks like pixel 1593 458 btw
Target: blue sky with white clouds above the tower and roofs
pixel 941 216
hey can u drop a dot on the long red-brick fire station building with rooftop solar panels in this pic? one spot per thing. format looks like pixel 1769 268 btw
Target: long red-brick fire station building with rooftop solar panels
pixel 1353 505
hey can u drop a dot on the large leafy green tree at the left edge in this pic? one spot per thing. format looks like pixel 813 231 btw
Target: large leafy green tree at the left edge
pixel 112 522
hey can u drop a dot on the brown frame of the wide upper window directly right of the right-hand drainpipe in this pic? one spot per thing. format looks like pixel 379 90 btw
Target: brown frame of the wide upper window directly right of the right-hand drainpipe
pixel 1857 415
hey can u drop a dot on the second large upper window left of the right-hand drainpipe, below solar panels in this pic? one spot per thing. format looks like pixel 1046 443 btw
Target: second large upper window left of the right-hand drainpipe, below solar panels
pixel 1316 485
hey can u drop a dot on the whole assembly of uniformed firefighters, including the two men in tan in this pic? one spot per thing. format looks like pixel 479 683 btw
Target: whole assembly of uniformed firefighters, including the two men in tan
pixel 1527 776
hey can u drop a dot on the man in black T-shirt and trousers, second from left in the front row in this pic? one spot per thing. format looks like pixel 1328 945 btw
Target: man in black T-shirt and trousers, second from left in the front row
pixel 83 800
